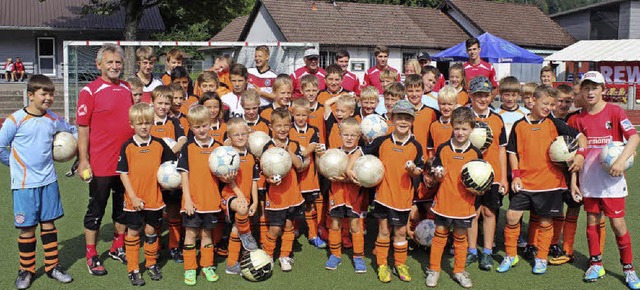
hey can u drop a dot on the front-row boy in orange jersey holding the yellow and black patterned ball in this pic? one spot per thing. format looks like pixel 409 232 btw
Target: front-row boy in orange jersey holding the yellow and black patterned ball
pixel 453 204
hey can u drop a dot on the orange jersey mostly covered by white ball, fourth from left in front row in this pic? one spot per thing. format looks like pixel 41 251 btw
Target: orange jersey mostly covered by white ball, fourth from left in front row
pixel 287 193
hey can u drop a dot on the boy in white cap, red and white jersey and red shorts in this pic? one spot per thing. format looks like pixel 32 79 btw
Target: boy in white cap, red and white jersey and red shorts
pixel 602 191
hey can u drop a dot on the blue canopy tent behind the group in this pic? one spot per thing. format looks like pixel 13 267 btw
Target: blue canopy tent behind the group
pixel 493 49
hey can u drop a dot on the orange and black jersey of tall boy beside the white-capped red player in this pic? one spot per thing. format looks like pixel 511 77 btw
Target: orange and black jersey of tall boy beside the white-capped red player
pixel 530 141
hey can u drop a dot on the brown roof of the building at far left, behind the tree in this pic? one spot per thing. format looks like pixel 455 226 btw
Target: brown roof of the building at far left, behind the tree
pixel 65 15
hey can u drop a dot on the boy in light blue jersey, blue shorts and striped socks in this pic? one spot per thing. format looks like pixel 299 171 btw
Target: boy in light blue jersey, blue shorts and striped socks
pixel 26 146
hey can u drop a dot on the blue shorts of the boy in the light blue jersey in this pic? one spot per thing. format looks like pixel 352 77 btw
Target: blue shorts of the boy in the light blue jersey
pixel 32 206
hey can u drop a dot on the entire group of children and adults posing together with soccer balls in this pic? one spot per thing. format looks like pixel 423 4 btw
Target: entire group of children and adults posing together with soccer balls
pixel 243 162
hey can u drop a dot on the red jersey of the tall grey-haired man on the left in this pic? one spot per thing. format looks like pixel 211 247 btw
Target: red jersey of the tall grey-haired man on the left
pixel 104 108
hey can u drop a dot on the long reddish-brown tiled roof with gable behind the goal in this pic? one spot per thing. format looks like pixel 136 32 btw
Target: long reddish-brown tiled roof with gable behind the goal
pixel 359 24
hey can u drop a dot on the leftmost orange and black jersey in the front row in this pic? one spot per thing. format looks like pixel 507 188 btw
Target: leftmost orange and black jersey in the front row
pixel 140 161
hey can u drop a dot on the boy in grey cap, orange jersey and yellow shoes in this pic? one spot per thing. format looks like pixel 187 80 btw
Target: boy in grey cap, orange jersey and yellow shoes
pixel 402 156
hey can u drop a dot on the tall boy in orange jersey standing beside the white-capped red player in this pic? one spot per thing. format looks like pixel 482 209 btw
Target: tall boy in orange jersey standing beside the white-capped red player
pixel 538 184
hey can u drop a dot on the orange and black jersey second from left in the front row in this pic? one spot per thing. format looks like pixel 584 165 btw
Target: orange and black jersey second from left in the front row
pixel 203 185
